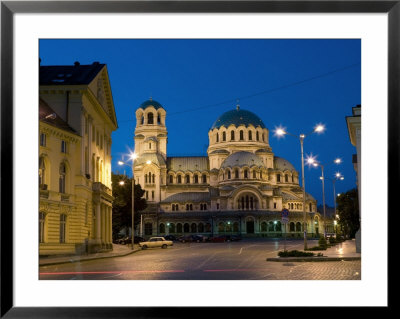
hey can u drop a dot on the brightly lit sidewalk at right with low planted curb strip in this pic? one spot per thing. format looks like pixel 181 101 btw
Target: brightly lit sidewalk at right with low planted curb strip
pixel 339 252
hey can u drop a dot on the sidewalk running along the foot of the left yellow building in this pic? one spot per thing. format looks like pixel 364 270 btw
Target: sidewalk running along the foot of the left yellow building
pixel 118 251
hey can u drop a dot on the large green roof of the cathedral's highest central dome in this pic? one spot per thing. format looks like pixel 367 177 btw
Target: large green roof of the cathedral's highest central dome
pixel 238 117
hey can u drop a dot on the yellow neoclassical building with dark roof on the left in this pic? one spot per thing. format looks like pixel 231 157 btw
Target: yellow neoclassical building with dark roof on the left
pixel 76 119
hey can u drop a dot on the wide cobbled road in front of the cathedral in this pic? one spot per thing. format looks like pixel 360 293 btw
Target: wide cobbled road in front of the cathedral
pixel 243 260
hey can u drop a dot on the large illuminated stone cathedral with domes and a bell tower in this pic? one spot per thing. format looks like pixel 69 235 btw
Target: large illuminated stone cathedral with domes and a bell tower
pixel 239 188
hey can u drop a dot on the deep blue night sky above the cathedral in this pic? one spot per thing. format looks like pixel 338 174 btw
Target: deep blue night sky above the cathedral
pixel 293 83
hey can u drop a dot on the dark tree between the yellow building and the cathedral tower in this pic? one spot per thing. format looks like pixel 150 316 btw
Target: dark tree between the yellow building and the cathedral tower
pixel 122 205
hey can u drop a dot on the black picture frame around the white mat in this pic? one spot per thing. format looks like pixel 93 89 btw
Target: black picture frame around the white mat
pixel 9 8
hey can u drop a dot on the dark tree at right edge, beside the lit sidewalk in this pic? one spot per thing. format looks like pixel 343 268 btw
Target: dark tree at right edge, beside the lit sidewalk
pixel 348 210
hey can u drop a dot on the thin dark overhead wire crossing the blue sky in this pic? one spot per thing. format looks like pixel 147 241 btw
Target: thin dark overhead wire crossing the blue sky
pixel 262 92
